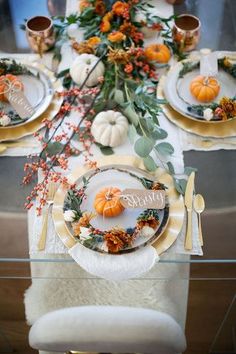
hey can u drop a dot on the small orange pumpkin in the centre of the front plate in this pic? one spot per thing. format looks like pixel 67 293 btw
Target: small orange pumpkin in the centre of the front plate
pixel 107 202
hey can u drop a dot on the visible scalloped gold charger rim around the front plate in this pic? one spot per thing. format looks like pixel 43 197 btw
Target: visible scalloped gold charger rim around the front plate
pixel 176 205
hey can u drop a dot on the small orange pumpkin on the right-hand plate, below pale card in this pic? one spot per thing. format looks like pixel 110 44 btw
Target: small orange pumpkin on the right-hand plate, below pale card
pixel 204 88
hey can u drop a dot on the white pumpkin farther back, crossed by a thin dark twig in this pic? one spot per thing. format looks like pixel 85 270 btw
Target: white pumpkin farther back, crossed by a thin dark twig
pixel 82 65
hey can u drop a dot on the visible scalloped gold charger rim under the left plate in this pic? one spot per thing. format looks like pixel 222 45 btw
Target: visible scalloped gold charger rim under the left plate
pixel 30 127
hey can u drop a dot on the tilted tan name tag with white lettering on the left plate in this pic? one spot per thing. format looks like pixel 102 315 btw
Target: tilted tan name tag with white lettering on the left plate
pixel 18 101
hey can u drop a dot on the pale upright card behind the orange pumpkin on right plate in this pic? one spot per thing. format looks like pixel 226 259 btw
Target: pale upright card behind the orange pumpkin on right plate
pixel 208 63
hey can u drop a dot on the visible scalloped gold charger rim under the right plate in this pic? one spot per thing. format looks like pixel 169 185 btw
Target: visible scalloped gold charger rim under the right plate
pixel 224 129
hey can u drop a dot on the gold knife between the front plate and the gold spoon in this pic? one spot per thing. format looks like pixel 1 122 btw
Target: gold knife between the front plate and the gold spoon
pixel 188 201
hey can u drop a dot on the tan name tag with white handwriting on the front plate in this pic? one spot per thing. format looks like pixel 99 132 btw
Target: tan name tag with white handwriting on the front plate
pixel 147 199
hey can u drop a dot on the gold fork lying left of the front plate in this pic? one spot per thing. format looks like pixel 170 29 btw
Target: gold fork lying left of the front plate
pixel 52 188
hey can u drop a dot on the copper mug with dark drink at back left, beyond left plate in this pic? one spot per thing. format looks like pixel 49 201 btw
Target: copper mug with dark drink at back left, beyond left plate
pixel 40 34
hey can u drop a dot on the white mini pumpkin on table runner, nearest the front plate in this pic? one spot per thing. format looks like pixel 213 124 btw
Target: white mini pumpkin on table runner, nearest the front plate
pixel 110 128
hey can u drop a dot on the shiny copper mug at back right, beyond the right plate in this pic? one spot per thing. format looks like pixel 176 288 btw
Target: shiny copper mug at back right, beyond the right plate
pixel 186 32
